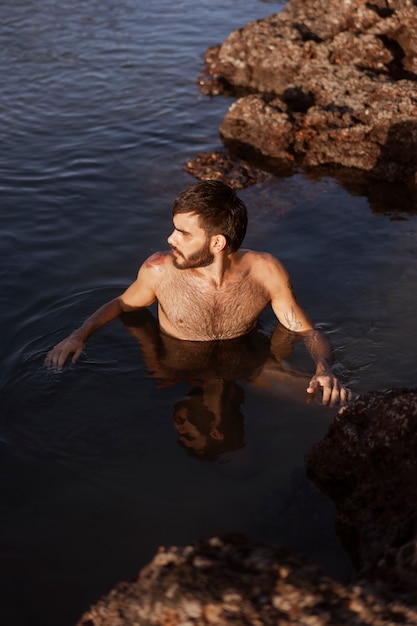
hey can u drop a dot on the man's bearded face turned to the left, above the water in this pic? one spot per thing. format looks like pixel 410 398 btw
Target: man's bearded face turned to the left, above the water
pixel 189 242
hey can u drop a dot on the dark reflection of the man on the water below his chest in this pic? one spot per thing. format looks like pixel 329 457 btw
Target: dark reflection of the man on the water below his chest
pixel 209 420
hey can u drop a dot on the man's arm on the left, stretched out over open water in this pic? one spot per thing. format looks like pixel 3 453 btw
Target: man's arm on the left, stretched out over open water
pixel 141 293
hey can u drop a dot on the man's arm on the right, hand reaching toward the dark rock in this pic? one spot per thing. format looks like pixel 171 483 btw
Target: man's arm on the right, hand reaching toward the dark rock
pixel 292 316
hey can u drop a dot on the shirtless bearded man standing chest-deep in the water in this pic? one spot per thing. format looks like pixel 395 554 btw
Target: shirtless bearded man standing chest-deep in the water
pixel 207 288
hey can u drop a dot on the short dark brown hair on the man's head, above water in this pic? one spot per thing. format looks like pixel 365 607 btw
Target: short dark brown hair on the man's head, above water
pixel 219 208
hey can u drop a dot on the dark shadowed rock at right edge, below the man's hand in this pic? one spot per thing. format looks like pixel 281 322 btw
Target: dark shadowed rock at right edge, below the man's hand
pixel 367 464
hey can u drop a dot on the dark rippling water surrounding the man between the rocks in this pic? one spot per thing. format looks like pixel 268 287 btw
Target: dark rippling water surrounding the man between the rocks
pixel 99 112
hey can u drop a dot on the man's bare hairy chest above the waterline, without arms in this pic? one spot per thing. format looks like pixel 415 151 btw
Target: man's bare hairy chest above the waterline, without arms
pixel 190 307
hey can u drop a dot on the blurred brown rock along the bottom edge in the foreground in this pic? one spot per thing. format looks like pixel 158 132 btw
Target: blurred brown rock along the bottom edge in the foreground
pixel 231 580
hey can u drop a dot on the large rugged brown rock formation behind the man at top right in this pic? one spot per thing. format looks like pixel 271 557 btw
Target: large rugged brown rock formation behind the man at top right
pixel 327 82
